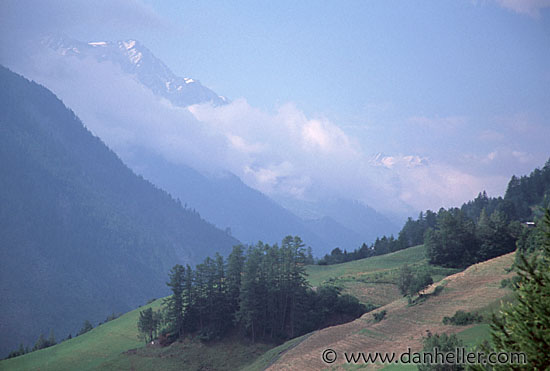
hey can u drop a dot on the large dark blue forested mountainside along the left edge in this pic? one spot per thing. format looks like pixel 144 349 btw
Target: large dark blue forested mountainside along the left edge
pixel 81 236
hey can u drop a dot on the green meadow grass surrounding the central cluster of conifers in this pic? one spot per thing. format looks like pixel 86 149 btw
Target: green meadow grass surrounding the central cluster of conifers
pixel 114 345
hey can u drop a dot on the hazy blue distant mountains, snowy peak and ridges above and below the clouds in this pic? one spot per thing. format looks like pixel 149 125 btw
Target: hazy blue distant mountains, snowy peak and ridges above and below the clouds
pixel 224 199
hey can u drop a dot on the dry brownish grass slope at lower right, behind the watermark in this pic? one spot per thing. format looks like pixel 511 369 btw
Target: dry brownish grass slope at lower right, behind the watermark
pixel 403 326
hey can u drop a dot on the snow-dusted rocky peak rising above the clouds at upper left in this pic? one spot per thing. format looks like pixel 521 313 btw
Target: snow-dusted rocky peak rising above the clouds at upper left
pixel 135 59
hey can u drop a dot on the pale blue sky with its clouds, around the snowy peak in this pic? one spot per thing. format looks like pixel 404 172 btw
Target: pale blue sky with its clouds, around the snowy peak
pixel 390 102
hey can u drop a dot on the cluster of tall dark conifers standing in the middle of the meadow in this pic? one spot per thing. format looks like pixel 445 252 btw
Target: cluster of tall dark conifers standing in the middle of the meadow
pixel 262 292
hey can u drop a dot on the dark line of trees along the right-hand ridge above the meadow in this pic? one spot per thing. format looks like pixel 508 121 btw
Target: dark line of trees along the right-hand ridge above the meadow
pixel 479 230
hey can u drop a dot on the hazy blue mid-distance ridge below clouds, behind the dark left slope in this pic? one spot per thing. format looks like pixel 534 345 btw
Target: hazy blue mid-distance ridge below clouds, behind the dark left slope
pixel 226 201
